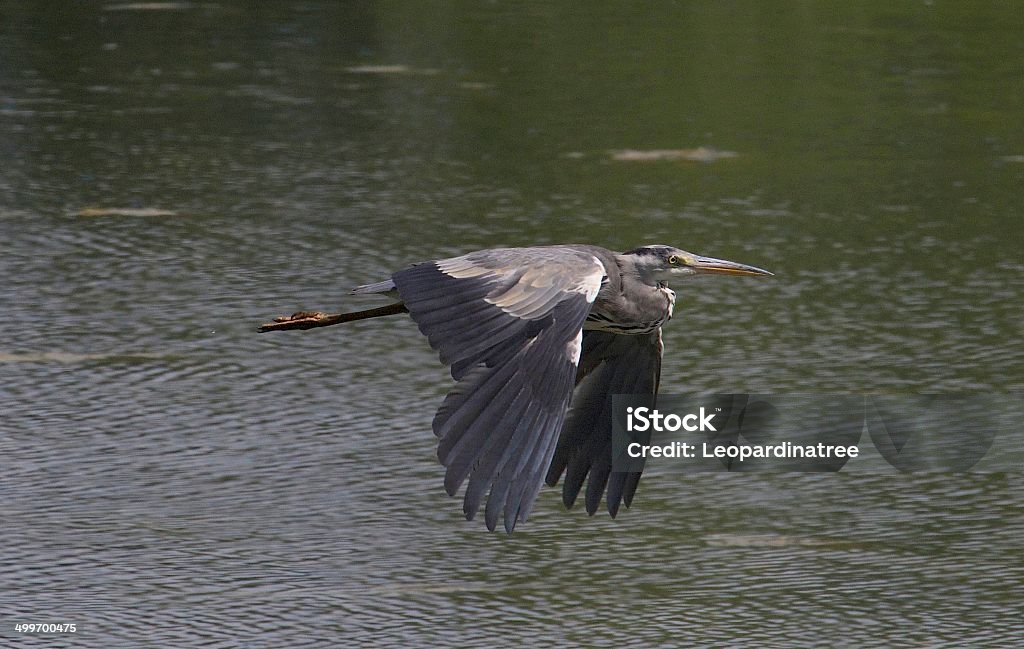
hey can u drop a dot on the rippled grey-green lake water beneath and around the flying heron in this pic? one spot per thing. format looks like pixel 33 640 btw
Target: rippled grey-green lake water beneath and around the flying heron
pixel 178 174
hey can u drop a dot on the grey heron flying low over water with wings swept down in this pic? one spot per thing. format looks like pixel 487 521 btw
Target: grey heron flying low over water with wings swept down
pixel 538 340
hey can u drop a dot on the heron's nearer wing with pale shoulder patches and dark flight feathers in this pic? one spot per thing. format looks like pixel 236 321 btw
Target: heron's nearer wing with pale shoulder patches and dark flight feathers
pixel 509 323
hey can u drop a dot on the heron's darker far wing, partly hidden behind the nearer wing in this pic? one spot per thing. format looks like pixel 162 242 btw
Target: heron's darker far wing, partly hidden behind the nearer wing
pixel 611 364
